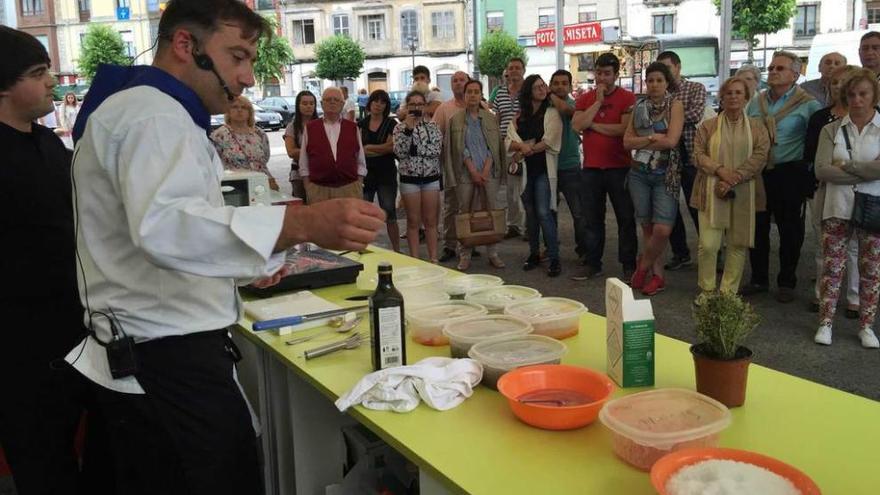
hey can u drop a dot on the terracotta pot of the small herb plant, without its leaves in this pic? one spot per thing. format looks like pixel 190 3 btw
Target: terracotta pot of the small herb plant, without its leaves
pixel 723 380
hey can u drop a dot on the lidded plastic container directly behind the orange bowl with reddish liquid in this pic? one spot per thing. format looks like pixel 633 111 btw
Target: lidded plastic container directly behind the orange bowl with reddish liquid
pixel 498 356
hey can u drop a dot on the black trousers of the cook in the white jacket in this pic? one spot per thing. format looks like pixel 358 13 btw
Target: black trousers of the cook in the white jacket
pixel 191 433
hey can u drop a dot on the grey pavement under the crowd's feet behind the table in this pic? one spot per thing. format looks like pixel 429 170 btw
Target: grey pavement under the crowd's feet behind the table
pixel 783 341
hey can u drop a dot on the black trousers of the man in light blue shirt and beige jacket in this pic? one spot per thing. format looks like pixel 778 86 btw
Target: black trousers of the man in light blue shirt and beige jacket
pixel 786 188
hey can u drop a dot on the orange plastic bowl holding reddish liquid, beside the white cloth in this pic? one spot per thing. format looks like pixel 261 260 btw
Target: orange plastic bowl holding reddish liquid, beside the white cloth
pixel 520 381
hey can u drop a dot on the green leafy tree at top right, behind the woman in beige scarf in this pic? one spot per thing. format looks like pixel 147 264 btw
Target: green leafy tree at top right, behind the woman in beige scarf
pixel 754 17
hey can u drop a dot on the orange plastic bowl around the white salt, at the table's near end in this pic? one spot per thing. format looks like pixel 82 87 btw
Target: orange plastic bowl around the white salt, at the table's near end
pixel 672 463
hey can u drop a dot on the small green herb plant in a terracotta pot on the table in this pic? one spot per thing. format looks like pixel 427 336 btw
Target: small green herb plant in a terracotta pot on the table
pixel 723 322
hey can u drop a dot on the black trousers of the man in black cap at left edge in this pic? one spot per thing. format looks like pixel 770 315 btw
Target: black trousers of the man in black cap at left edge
pixel 41 409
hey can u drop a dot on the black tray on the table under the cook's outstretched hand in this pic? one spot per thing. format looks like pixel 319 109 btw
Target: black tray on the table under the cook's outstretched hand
pixel 312 269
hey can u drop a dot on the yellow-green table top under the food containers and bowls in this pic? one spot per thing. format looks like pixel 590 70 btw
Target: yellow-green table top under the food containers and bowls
pixel 481 448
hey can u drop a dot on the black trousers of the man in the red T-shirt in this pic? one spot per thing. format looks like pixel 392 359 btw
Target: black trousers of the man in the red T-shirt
pixel 598 183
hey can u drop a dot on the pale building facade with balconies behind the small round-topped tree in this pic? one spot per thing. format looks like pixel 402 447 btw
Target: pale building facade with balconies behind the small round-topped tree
pixel 395 34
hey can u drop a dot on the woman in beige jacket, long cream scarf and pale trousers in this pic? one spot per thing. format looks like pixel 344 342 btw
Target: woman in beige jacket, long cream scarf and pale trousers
pixel 730 151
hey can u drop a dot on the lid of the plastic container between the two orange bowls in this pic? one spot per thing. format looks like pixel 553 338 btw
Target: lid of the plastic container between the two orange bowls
pixel 664 417
